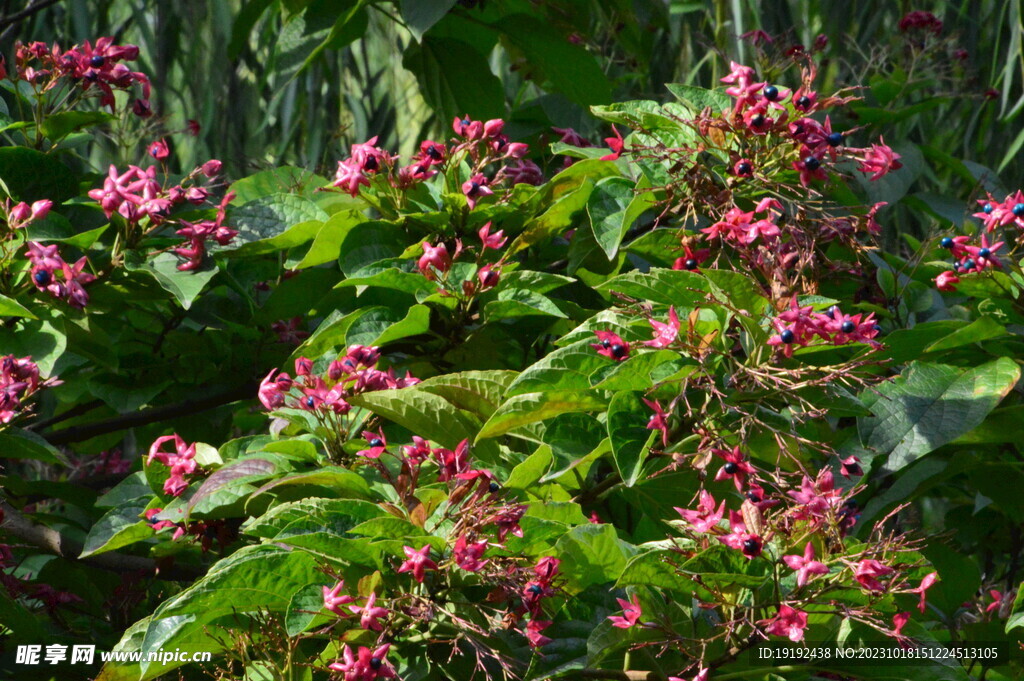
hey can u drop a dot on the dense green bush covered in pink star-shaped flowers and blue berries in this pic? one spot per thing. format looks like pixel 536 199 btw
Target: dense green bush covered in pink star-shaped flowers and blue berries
pixel 513 401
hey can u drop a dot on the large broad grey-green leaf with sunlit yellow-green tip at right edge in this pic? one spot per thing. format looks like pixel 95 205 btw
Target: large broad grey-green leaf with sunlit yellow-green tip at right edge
pixel 932 405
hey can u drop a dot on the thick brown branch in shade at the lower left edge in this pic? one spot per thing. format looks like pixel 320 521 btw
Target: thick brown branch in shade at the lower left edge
pixel 54 542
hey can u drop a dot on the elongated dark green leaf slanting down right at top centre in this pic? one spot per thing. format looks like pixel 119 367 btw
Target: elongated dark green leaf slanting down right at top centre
pixel 570 69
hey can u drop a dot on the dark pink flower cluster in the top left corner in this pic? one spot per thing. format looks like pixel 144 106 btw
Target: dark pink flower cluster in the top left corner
pixel 94 67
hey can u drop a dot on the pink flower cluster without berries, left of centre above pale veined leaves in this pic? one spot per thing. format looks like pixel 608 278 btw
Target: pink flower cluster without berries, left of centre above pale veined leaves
pixel 354 373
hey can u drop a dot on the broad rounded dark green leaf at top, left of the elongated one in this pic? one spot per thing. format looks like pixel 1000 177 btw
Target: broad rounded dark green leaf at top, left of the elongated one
pixel 444 68
